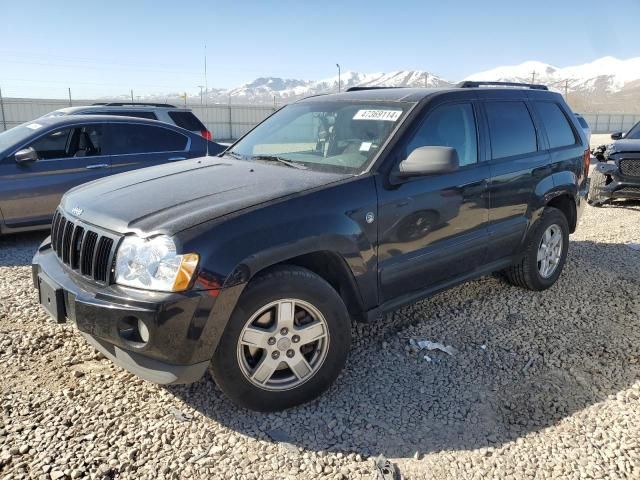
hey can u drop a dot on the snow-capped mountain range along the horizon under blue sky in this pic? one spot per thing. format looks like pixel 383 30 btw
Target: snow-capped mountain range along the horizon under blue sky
pixel 606 84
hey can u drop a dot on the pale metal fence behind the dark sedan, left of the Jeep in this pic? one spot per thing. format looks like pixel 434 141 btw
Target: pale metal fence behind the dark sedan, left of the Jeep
pixel 225 121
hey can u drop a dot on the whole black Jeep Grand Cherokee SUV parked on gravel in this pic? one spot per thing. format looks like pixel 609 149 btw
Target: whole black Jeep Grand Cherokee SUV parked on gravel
pixel 336 207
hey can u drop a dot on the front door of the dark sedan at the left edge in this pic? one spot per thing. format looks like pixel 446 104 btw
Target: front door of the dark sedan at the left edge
pixel 67 157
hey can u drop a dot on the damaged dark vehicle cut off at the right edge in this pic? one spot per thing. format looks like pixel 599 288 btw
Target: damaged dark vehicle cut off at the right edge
pixel 617 173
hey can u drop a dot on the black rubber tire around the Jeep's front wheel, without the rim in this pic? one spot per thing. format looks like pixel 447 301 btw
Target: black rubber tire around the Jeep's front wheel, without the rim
pixel 307 287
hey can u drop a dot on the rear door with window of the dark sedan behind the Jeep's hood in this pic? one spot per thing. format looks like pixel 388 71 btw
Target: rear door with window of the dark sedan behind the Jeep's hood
pixel 133 145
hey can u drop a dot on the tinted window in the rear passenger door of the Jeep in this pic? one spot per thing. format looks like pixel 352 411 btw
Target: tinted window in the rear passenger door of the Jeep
pixel 511 129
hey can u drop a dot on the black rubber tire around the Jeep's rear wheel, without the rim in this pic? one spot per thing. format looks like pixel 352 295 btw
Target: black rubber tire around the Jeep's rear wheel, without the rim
pixel 550 217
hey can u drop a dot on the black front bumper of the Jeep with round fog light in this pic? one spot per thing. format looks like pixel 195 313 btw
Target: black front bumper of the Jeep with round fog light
pixel 179 346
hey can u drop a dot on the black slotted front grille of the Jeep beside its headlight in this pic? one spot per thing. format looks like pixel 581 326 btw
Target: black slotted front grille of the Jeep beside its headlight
pixel 83 248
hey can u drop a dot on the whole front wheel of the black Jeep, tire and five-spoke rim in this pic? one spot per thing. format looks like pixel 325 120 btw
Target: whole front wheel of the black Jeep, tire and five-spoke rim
pixel 238 367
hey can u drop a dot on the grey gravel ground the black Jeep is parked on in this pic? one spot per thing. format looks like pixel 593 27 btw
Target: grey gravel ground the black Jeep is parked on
pixel 542 385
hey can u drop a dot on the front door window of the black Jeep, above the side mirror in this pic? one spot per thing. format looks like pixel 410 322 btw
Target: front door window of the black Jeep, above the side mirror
pixel 449 126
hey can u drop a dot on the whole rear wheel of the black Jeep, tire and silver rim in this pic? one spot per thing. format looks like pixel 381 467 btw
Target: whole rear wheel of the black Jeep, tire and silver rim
pixel 529 272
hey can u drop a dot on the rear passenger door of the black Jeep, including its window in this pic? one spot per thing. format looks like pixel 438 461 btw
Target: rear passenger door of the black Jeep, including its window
pixel 520 168
